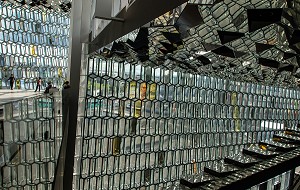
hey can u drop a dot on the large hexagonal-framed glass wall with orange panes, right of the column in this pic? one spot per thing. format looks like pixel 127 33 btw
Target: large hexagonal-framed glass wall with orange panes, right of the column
pixel 144 127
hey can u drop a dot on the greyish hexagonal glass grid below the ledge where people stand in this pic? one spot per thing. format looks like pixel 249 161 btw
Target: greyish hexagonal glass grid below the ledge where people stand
pixel 30 143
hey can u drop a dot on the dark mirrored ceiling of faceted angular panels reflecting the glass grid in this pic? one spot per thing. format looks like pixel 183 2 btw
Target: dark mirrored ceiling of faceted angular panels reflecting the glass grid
pixel 246 40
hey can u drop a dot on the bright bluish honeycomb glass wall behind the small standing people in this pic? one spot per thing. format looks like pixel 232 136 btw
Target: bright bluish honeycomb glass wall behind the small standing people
pixel 34 43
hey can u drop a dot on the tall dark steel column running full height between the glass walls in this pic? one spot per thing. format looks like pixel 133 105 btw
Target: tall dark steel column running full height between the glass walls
pixel 78 32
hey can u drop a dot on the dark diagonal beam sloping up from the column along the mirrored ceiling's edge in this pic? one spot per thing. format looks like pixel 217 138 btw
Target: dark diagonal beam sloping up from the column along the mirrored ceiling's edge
pixel 138 14
